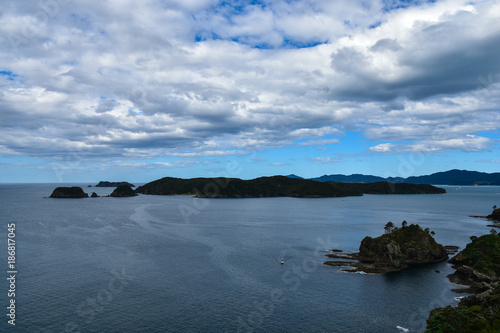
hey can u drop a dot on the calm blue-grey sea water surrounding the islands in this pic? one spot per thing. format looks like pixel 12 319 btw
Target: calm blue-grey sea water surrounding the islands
pixel 179 264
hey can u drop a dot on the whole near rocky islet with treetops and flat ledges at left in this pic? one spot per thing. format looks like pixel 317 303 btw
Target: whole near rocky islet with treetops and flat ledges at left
pixel 393 251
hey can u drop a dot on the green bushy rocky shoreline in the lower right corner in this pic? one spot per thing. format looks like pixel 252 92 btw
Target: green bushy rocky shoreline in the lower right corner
pixel 477 266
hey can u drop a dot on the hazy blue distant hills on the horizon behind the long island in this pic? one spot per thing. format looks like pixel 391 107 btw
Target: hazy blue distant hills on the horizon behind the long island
pixel 451 177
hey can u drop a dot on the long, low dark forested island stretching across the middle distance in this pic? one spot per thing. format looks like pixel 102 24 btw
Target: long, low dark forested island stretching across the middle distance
pixel 275 186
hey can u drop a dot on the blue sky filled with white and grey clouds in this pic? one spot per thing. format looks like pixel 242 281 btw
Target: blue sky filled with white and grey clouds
pixel 138 90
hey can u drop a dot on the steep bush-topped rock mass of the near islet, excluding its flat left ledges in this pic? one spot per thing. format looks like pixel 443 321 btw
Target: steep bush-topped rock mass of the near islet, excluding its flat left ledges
pixel 402 247
